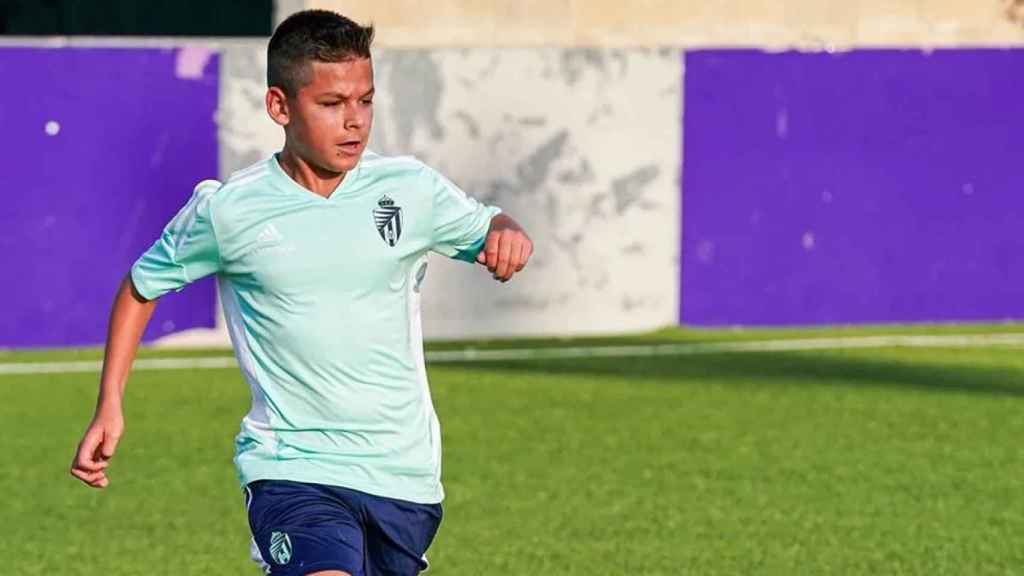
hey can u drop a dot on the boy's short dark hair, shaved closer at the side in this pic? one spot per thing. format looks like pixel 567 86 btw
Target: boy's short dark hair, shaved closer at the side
pixel 313 36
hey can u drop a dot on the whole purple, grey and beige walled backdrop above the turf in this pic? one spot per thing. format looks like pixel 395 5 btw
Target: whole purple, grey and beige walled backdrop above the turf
pixel 731 164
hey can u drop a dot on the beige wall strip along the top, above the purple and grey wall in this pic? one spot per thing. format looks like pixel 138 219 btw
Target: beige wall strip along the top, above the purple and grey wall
pixel 773 24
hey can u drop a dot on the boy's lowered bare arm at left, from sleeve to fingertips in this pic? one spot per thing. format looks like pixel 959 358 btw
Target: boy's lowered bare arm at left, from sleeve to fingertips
pixel 130 317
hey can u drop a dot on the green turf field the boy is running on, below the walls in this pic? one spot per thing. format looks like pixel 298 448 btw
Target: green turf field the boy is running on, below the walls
pixel 858 462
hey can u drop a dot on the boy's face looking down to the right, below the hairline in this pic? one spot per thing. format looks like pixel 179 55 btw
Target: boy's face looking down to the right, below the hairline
pixel 328 121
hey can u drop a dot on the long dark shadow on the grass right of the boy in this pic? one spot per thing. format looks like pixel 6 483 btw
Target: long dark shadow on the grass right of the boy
pixel 786 368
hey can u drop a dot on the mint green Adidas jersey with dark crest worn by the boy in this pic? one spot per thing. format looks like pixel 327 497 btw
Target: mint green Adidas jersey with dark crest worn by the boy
pixel 322 300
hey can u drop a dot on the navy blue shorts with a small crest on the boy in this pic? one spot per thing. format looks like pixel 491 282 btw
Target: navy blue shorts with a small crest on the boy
pixel 302 528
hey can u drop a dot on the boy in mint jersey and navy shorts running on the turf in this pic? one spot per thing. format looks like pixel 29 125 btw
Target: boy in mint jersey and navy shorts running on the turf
pixel 320 254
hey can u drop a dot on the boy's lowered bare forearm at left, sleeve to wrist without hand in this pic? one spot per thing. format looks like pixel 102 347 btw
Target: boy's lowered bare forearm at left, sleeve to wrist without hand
pixel 130 317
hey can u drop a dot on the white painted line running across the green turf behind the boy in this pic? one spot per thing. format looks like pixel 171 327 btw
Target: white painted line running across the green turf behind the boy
pixel 684 349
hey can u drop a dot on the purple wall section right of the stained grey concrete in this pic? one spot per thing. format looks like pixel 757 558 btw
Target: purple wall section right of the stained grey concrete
pixel 868 187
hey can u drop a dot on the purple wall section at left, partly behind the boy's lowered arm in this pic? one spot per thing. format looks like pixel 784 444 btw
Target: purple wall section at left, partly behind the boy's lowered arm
pixel 101 149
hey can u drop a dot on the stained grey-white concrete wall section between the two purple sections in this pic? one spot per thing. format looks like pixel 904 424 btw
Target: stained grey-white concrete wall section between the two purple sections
pixel 582 146
